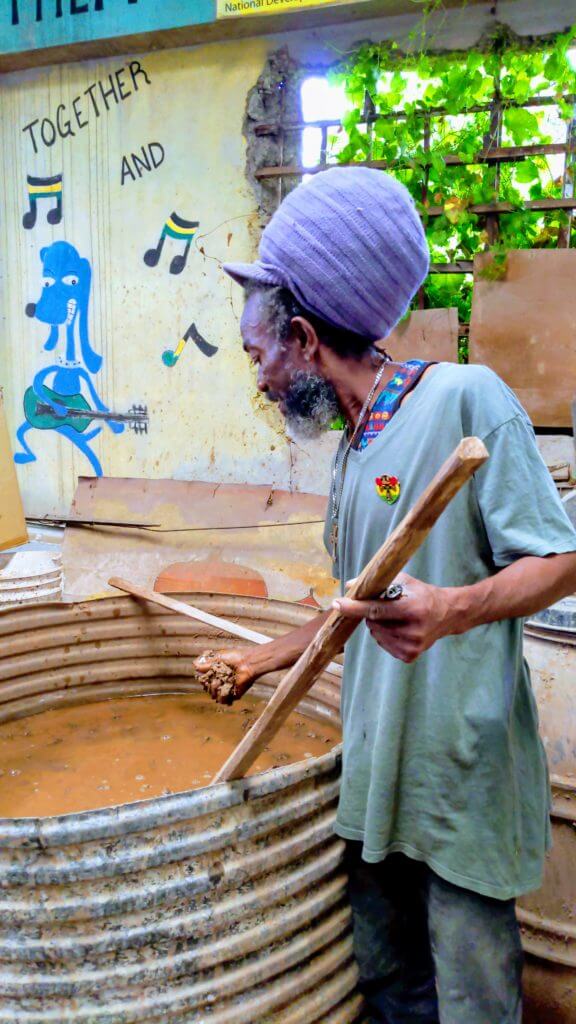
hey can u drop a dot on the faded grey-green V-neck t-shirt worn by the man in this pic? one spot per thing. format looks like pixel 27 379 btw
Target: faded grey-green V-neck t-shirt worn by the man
pixel 442 758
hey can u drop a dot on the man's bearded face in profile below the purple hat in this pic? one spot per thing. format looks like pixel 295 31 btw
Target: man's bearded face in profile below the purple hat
pixel 307 400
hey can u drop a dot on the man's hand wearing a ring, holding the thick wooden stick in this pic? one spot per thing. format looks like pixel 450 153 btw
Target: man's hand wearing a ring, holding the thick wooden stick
pixel 406 627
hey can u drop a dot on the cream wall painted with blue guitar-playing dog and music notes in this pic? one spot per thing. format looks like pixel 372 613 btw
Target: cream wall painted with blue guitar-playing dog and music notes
pixel 125 191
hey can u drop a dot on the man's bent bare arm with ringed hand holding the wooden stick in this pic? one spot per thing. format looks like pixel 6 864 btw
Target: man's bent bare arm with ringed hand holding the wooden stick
pixel 408 627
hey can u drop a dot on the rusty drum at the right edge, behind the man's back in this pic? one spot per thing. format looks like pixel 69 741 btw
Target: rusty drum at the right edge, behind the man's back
pixel 549 916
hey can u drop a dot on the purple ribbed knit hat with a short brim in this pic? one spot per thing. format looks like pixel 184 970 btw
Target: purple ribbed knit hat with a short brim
pixel 350 246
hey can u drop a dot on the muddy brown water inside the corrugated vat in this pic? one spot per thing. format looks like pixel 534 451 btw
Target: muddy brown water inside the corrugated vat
pixel 116 752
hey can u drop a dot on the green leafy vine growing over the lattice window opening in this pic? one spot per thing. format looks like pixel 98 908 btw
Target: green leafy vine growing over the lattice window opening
pixel 426 107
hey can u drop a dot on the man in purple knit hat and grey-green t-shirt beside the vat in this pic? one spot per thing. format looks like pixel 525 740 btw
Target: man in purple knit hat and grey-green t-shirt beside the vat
pixel 444 800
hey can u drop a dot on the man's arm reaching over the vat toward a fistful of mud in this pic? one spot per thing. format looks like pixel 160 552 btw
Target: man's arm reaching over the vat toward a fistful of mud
pixel 255 662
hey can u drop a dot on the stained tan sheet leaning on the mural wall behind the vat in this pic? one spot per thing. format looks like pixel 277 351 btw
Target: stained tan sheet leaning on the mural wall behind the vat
pixel 234 537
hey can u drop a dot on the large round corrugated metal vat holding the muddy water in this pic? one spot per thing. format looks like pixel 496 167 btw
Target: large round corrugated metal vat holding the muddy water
pixel 225 906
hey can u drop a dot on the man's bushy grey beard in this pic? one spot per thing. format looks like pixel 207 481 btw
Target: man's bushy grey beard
pixel 311 406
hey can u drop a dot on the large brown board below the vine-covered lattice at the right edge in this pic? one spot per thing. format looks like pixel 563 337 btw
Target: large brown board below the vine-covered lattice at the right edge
pixel 524 328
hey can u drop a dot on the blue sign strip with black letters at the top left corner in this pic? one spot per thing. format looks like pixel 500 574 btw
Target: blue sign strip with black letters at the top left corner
pixel 37 25
